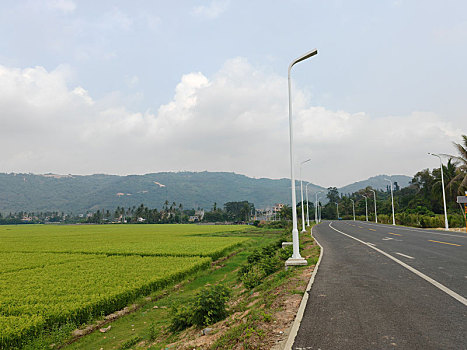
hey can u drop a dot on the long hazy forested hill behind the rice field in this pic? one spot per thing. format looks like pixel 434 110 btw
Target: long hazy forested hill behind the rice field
pixel 78 194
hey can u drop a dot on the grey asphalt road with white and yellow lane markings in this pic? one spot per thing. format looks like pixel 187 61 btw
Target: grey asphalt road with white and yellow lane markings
pixel 408 293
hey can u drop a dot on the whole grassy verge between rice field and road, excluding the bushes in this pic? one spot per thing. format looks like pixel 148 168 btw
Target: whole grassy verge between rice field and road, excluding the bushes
pixel 253 312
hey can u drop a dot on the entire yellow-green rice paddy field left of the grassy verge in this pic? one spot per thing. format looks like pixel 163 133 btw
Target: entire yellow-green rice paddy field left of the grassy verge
pixel 50 275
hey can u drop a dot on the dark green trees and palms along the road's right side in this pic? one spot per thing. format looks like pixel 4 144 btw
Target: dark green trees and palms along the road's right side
pixel 420 204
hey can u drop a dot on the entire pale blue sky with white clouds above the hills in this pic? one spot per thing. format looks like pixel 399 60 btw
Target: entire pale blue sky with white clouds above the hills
pixel 134 87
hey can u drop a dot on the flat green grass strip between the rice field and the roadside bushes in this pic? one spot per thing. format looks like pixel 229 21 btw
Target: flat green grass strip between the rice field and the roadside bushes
pixel 150 323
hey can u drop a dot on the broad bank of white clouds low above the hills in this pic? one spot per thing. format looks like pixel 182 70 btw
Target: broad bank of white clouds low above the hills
pixel 235 120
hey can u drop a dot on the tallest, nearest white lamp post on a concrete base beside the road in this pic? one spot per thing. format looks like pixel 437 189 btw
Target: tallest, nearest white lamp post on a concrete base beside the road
pixel 296 258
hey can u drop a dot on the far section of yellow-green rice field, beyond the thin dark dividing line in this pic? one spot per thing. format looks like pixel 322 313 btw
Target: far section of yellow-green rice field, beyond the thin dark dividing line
pixel 154 240
